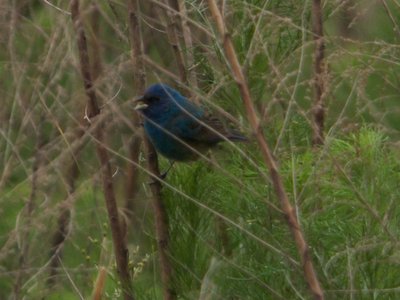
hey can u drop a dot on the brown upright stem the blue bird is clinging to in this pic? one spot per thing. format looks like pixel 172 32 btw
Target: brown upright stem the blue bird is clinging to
pixel 158 205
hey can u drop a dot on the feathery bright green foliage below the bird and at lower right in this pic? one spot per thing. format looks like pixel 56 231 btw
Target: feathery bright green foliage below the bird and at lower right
pixel 345 197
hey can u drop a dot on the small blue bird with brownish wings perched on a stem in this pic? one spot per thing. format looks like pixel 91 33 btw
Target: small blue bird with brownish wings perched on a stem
pixel 174 124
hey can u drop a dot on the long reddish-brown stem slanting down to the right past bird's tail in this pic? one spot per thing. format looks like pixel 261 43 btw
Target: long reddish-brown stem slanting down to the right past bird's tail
pixel 287 208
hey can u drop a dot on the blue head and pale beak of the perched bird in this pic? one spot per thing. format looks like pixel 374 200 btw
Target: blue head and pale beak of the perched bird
pixel 157 99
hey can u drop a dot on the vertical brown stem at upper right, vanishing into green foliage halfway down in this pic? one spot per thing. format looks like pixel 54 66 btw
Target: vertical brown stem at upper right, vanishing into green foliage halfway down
pixel 319 74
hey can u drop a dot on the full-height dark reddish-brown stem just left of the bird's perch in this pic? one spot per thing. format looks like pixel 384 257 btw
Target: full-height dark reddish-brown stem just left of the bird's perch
pixel 121 252
